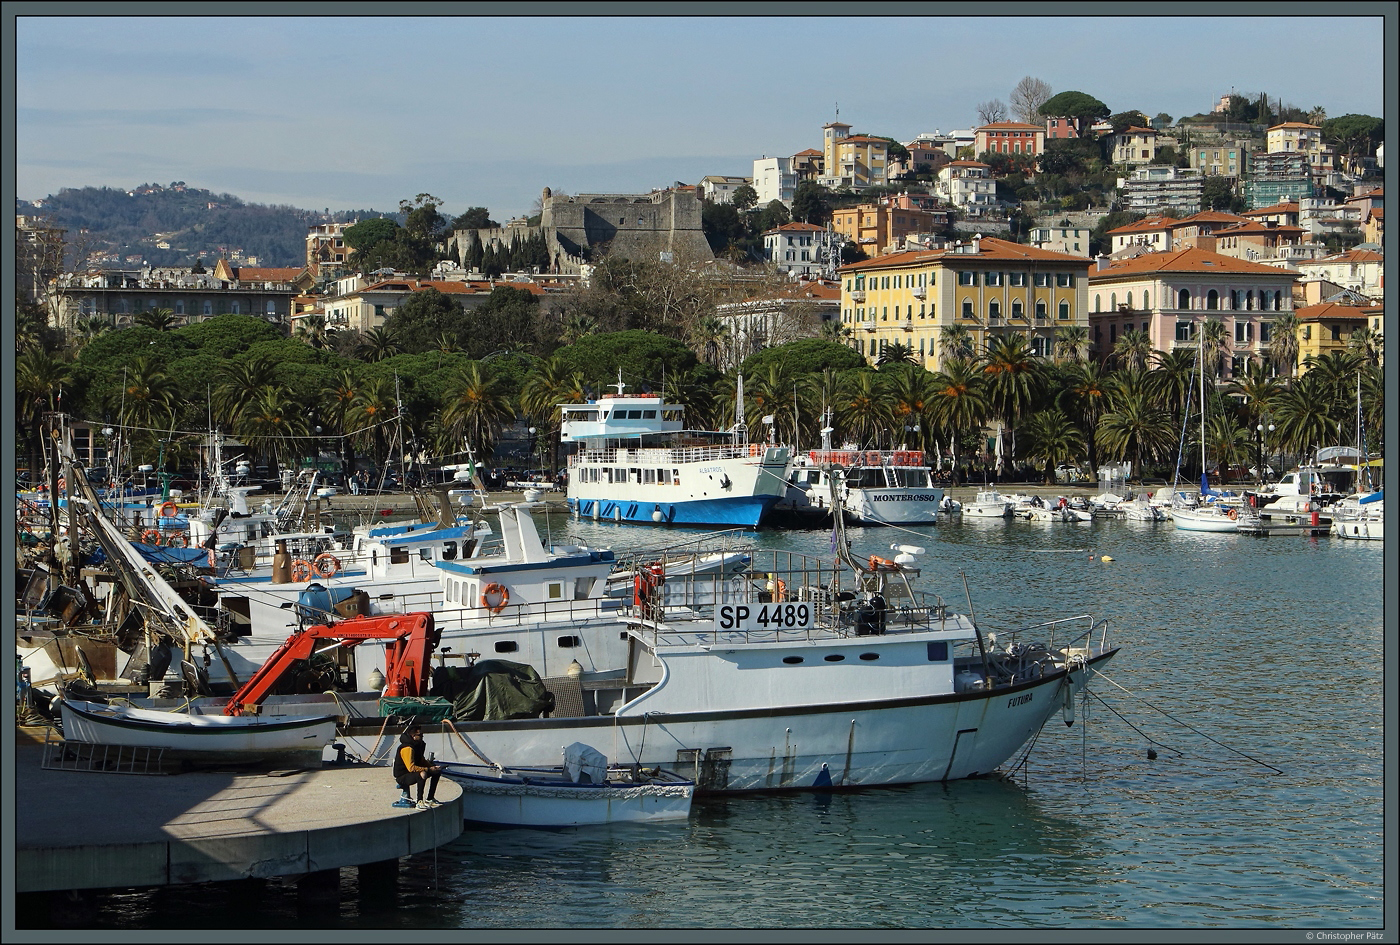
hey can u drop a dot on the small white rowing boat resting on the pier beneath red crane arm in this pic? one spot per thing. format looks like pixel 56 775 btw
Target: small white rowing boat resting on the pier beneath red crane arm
pixel 131 727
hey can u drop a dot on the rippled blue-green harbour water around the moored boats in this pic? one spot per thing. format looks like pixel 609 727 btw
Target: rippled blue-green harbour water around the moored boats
pixel 1254 667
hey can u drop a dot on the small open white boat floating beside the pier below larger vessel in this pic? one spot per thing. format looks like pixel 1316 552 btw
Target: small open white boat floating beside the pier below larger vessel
pixel 582 792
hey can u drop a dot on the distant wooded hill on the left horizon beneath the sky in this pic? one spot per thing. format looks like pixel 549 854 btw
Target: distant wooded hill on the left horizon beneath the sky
pixel 127 227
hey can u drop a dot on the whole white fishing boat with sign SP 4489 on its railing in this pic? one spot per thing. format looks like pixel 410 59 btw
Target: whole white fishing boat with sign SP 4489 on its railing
pixel 800 675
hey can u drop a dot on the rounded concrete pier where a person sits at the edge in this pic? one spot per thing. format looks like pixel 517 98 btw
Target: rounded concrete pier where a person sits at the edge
pixel 97 831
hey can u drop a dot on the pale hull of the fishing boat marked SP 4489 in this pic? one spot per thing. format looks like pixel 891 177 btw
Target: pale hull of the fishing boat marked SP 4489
pixel 779 748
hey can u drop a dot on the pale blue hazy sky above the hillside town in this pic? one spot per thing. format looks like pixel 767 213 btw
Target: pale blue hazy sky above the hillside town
pixel 359 113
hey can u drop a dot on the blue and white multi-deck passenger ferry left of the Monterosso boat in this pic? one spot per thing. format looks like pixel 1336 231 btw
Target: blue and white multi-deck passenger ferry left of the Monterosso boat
pixel 638 464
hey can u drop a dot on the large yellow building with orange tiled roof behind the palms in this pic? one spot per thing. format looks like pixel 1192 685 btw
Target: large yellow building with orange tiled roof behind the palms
pixel 992 288
